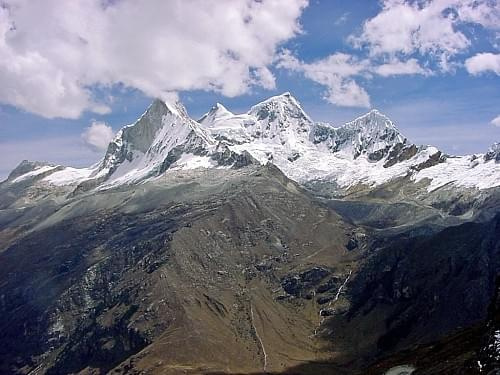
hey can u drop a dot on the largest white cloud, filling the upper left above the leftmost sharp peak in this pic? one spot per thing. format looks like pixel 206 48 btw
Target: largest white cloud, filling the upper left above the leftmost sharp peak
pixel 52 53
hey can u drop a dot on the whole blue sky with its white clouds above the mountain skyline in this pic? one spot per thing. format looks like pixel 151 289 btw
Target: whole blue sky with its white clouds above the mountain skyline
pixel 338 58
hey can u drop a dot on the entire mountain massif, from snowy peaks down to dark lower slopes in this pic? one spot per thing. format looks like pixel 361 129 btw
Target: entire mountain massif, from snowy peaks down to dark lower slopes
pixel 183 252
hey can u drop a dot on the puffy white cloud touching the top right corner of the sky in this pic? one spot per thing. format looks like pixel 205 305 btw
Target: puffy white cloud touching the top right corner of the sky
pixel 430 28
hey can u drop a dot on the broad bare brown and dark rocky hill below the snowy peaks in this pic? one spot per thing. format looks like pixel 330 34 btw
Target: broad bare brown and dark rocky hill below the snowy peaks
pixel 190 273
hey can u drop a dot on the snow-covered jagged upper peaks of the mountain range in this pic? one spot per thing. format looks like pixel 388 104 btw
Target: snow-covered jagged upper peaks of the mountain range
pixel 368 151
